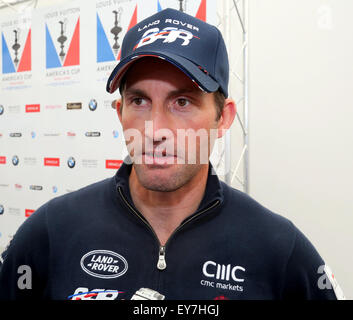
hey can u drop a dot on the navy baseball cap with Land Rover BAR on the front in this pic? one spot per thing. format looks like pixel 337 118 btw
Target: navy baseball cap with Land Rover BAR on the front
pixel 194 46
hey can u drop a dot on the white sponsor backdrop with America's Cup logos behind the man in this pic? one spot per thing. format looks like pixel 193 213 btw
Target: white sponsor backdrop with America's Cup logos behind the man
pixel 54 110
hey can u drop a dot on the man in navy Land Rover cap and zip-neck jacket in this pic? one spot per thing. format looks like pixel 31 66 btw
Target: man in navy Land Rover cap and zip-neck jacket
pixel 165 226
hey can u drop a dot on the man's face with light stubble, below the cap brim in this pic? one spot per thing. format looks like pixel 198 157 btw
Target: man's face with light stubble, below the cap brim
pixel 173 119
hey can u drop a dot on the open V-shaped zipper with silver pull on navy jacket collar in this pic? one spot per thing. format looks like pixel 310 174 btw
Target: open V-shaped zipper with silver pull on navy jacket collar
pixel 161 263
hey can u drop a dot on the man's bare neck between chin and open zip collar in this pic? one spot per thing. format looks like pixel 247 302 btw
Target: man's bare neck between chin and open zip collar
pixel 166 210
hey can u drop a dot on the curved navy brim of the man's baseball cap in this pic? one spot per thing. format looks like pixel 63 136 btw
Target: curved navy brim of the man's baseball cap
pixel 200 77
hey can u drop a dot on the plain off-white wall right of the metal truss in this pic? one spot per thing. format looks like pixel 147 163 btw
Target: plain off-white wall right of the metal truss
pixel 301 134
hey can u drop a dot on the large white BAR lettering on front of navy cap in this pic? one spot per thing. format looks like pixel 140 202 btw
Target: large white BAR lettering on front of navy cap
pixel 168 35
